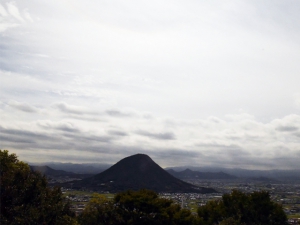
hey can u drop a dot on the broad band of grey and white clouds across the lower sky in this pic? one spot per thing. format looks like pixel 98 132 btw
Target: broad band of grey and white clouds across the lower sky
pixel 82 135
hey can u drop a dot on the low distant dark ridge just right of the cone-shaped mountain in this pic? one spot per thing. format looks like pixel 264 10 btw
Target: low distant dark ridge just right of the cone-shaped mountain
pixel 190 174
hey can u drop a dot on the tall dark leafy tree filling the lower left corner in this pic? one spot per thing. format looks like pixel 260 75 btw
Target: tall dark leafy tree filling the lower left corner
pixel 26 197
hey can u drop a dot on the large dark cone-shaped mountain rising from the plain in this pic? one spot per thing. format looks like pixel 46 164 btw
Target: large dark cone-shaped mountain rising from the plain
pixel 137 172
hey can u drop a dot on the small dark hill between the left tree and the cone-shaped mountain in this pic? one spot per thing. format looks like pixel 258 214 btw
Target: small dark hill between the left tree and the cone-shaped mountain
pixel 49 172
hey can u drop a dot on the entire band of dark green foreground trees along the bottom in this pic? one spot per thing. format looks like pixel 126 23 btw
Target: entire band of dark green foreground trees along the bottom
pixel 27 199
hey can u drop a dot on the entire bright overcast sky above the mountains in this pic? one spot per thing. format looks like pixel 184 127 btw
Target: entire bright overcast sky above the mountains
pixel 199 83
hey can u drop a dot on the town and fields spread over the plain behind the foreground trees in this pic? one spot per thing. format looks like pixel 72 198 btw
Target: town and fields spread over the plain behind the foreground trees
pixel 286 194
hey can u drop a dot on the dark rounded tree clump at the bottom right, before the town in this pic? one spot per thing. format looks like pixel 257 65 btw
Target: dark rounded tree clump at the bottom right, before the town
pixel 240 208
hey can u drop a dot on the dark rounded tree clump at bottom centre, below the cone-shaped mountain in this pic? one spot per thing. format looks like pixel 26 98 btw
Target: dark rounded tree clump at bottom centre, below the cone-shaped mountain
pixel 134 208
